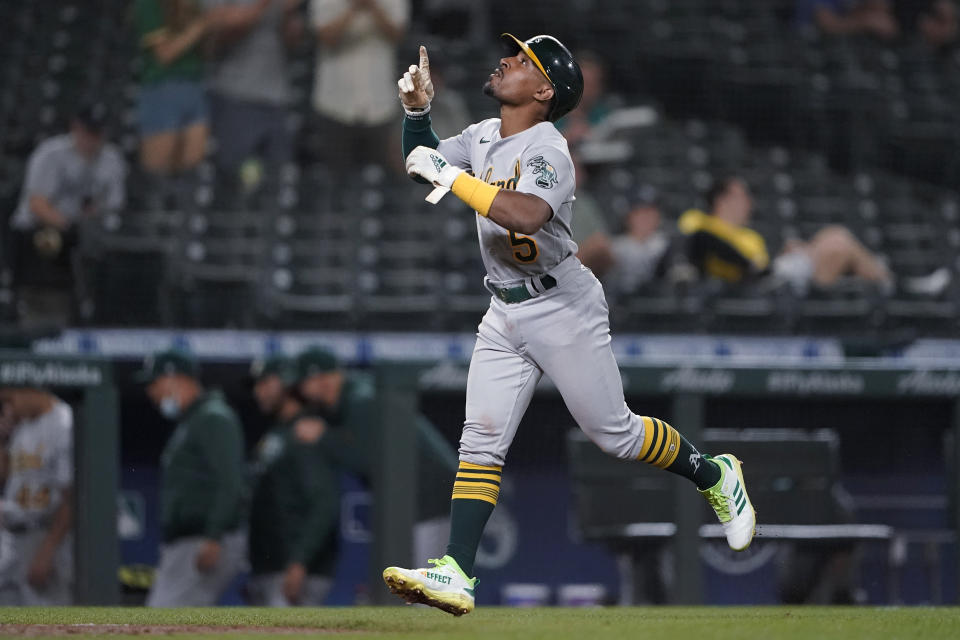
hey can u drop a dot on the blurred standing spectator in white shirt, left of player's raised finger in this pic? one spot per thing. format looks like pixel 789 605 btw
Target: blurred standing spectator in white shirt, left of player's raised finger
pixel 355 90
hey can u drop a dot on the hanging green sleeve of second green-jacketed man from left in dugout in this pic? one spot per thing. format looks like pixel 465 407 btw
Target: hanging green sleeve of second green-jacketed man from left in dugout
pixel 320 484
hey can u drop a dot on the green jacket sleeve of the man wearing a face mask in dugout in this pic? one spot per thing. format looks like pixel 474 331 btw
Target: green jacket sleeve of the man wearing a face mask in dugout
pixel 223 448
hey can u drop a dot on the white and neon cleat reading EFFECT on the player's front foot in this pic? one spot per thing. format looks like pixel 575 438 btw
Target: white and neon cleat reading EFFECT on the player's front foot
pixel 444 586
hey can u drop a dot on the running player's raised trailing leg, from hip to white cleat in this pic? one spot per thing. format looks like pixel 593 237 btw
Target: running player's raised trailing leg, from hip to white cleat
pixel 570 339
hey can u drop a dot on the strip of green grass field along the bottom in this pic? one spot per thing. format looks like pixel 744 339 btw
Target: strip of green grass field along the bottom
pixel 491 623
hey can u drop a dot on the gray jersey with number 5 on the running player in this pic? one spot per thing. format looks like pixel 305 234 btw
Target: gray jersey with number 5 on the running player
pixel 534 161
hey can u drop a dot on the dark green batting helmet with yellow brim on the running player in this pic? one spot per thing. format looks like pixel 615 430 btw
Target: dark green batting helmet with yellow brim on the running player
pixel 555 62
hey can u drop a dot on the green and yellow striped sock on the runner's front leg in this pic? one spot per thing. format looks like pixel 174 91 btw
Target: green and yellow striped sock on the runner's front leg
pixel 475 494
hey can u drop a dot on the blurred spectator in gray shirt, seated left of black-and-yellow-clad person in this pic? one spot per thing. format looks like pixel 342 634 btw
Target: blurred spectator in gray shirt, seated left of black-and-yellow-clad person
pixel 639 252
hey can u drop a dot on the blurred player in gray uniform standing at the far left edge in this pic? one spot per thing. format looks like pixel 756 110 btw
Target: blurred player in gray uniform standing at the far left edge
pixel 36 461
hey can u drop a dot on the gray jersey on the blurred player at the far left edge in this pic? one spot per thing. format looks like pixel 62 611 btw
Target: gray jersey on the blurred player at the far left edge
pixel 41 467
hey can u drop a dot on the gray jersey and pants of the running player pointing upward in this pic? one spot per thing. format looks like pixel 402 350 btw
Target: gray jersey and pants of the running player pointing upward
pixel 563 331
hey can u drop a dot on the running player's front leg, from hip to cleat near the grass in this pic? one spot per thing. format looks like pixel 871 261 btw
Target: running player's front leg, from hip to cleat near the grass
pixel 499 387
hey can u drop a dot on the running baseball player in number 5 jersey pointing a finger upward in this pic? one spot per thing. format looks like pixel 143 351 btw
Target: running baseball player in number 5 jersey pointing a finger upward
pixel 547 312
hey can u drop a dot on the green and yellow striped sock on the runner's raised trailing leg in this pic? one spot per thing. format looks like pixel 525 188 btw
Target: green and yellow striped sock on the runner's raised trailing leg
pixel 664 447
